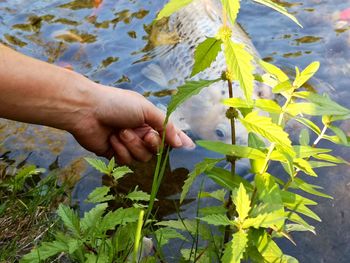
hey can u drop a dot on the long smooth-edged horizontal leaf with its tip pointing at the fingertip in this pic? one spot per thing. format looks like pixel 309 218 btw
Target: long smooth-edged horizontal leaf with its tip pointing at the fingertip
pixel 232 150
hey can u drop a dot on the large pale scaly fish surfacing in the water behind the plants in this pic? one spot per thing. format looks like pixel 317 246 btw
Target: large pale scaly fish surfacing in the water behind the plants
pixel 203 115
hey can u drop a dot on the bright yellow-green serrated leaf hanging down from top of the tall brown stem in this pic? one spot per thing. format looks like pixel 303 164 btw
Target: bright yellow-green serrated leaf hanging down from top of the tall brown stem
pixel 239 63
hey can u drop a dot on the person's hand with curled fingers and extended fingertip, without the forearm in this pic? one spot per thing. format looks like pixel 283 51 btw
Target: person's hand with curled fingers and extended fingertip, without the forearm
pixel 124 124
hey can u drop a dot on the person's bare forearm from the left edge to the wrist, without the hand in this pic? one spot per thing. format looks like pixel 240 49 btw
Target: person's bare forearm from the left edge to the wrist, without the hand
pixel 37 92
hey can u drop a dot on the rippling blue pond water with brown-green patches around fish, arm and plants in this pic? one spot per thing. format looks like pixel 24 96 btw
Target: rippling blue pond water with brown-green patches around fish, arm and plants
pixel 105 43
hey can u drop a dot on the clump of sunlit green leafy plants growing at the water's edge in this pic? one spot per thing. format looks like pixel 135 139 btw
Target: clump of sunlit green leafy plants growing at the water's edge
pixel 251 214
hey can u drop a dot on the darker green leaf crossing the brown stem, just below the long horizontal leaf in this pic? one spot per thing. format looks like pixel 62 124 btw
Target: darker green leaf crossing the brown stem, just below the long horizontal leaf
pixel 225 179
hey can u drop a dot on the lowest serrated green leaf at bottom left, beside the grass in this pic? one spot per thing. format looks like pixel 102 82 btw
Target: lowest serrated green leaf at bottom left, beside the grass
pixel 46 250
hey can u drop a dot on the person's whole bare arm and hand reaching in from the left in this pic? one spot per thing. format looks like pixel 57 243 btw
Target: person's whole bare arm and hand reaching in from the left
pixel 104 120
